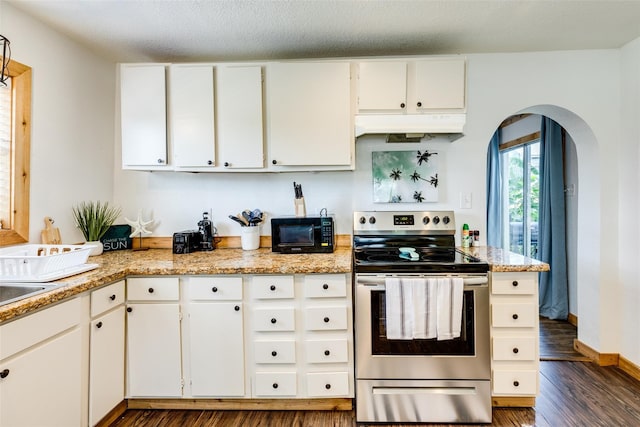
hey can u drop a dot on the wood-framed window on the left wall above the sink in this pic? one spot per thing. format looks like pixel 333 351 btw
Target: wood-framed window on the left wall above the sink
pixel 15 143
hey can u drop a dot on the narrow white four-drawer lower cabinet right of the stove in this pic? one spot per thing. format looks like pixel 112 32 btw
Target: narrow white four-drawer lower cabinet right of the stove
pixel 514 334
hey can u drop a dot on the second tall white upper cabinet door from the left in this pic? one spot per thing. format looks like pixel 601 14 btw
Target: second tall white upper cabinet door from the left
pixel 192 115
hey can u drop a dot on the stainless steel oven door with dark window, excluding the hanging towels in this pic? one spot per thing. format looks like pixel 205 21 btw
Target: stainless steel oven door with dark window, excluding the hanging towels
pixel 466 357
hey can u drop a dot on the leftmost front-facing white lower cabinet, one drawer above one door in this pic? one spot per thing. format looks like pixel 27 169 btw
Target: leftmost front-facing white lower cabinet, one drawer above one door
pixel 154 362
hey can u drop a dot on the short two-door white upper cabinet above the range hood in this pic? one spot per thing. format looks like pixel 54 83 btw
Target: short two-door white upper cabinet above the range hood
pixel 421 86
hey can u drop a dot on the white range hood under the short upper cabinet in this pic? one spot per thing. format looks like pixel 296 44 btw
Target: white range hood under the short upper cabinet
pixel 412 126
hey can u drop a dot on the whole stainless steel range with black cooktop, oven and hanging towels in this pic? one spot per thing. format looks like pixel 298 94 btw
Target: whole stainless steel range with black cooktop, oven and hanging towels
pixel 421 321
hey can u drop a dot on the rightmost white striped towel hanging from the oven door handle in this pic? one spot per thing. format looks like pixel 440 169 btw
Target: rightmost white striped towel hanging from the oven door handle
pixel 450 292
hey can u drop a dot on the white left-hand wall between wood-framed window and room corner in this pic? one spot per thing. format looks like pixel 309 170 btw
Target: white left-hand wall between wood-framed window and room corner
pixel 72 122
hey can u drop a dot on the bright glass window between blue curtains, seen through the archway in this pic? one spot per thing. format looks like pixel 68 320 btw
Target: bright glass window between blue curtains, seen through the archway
pixel 521 180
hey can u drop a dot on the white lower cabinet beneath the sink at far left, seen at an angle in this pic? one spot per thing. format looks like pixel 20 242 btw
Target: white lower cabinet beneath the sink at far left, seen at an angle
pixel 41 369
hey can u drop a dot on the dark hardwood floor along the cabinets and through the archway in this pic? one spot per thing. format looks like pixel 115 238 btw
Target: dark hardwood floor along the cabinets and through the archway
pixel 572 394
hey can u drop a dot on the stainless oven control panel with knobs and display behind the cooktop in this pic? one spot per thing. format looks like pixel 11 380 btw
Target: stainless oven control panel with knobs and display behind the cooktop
pixel 380 222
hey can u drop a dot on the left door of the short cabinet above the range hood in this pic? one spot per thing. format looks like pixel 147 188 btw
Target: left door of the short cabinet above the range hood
pixel 382 86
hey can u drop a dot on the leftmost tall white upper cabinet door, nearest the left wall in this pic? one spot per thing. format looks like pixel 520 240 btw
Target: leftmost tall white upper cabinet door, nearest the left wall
pixel 143 115
